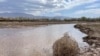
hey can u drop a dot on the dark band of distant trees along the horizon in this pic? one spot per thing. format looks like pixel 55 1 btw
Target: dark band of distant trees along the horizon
pixel 23 19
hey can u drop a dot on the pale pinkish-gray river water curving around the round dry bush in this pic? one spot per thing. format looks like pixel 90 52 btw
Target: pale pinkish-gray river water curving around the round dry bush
pixel 34 41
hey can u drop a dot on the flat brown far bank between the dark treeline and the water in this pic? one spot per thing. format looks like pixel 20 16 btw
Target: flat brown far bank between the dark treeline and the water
pixel 29 23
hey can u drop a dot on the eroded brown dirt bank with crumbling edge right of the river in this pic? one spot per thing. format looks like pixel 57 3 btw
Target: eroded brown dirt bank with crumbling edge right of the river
pixel 92 38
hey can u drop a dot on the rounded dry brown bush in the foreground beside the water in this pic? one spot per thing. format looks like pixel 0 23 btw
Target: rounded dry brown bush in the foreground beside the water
pixel 65 47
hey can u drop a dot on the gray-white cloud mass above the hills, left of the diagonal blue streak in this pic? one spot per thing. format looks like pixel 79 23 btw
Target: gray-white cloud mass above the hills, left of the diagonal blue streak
pixel 36 7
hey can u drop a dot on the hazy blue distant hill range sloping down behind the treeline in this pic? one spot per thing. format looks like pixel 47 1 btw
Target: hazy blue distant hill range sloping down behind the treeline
pixel 30 16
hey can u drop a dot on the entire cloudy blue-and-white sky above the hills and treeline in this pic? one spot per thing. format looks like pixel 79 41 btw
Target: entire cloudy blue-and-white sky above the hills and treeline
pixel 69 8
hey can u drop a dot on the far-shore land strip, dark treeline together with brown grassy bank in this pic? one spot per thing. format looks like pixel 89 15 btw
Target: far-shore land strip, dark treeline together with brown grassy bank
pixel 21 21
